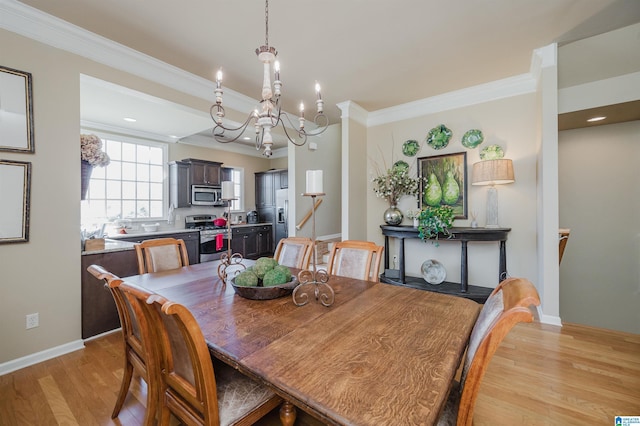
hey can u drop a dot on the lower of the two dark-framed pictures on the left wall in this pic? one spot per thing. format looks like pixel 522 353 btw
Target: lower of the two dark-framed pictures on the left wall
pixel 15 187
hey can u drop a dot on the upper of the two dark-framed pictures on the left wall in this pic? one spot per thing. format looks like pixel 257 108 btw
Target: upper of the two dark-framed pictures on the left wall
pixel 16 111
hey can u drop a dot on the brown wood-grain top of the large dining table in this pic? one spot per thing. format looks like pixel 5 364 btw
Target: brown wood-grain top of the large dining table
pixel 379 355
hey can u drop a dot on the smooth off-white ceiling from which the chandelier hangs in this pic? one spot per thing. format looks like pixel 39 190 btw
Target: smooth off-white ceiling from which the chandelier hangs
pixel 373 52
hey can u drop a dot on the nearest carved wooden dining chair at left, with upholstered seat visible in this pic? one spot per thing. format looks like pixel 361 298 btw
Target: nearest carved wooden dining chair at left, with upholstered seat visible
pixel 190 389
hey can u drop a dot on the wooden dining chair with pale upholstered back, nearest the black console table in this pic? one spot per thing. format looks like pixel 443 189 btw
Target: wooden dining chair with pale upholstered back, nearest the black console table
pixel 355 259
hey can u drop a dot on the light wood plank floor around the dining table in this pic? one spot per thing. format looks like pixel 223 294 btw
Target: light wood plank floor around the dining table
pixel 541 375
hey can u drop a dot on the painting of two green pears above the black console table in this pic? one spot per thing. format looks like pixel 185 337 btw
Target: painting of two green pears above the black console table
pixel 445 182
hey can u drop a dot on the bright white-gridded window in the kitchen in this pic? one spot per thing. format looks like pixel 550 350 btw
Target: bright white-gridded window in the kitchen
pixel 131 186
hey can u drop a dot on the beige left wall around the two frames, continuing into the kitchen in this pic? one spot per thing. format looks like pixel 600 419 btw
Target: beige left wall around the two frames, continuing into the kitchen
pixel 53 287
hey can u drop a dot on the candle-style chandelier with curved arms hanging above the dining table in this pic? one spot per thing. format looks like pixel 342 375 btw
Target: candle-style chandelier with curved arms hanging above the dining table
pixel 269 113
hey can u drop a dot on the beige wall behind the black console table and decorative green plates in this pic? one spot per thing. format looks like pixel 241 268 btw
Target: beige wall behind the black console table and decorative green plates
pixel 509 123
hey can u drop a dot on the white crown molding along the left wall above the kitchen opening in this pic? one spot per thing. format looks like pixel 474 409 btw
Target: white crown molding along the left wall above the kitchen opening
pixel 37 25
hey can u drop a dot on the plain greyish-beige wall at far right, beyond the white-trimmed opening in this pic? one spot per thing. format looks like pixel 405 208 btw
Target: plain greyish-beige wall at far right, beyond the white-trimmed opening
pixel 600 203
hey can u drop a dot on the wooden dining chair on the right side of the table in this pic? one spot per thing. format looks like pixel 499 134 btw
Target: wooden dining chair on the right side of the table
pixel 509 303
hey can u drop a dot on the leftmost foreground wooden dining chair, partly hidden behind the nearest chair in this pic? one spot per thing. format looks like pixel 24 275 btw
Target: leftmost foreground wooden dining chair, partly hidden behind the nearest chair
pixel 136 357
